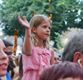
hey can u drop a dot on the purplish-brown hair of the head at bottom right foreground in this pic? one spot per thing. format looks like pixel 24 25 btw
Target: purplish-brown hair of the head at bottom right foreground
pixel 62 70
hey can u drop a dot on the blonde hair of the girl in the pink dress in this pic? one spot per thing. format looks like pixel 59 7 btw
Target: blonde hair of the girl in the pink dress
pixel 35 22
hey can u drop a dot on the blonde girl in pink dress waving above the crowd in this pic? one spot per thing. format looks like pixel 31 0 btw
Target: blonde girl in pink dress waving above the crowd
pixel 36 55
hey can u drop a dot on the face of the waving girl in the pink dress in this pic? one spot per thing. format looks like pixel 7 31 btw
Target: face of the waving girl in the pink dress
pixel 43 30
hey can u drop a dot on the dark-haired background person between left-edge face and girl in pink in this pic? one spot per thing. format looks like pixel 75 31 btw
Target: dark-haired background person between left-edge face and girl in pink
pixel 13 68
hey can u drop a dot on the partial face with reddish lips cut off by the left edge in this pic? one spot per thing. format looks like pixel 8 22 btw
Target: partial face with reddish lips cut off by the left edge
pixel 3 60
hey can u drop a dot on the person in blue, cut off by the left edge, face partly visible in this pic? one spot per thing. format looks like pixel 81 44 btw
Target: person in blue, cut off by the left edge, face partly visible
pixel 4 75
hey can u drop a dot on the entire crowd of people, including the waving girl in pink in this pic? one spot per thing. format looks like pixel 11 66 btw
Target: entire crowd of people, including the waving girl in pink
pixel 37 61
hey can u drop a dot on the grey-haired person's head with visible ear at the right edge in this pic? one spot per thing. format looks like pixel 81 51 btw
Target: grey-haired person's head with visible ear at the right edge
pixel 74 50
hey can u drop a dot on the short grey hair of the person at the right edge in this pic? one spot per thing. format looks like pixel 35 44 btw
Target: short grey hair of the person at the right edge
pixel 74 45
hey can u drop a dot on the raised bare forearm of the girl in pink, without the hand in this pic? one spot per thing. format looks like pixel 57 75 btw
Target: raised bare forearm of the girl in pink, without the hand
pixel 27 46
